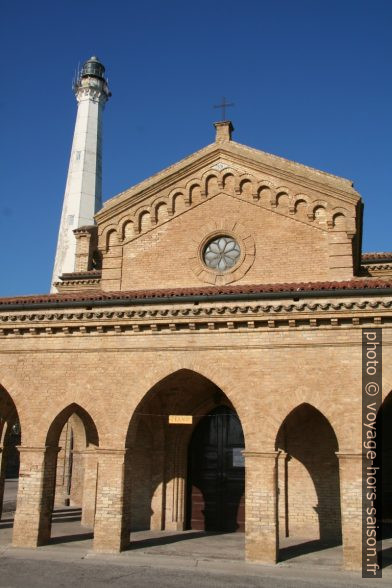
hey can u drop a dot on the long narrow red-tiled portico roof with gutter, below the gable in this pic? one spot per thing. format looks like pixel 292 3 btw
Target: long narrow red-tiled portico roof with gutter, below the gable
pixel 355 287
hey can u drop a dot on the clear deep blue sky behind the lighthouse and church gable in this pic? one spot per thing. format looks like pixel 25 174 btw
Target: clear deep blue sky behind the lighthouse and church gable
pixel 311 81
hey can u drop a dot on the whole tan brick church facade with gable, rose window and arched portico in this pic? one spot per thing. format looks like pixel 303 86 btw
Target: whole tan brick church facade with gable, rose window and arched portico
pixel 201 367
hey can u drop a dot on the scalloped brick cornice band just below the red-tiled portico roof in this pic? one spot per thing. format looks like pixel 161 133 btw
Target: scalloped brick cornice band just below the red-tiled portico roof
pixel 148 320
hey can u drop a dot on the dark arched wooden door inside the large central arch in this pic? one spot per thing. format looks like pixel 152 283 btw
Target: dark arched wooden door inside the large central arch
pixel 216 473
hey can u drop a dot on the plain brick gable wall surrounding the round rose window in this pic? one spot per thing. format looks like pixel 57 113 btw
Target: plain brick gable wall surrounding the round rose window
pixel 286 250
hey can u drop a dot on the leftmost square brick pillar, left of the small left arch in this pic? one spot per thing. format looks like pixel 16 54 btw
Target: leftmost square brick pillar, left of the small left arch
pixel 36 489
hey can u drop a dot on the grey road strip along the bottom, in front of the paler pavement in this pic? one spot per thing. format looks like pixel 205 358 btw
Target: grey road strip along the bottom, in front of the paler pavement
pixel 40 573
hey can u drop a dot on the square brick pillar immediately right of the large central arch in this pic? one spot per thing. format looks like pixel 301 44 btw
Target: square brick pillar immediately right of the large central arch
pixel 261 524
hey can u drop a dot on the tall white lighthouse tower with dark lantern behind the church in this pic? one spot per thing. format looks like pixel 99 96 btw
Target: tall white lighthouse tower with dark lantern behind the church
pixel 83 191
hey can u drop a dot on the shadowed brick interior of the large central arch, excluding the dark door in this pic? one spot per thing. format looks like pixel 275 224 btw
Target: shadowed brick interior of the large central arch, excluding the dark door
pixel 165 452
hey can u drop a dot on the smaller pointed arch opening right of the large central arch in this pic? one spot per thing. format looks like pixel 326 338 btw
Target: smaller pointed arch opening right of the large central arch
pixel 308 477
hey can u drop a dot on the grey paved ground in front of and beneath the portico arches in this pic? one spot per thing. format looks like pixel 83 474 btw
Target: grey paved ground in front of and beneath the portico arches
pixel 166 559
